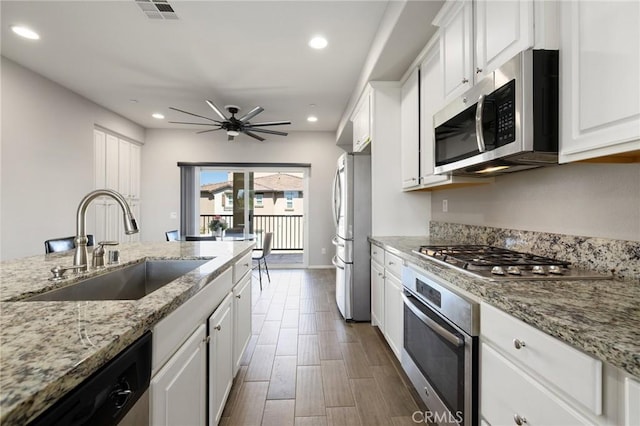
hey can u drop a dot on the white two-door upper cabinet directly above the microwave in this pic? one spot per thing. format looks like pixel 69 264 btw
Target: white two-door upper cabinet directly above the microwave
pixel 476 37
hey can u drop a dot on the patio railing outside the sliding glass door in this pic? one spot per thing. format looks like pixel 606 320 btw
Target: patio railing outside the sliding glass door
pixel 287 229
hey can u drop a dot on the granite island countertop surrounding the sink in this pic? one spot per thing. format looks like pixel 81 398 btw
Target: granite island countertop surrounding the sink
pixel 48 348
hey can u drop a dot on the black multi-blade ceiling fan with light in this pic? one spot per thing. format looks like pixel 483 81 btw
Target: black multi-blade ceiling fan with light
pixel 234 126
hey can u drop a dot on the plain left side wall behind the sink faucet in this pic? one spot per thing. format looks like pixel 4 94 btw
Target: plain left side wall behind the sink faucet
pixel 47 158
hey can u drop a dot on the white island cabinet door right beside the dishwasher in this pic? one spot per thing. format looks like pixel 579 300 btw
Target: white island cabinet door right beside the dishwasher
pixel 178 393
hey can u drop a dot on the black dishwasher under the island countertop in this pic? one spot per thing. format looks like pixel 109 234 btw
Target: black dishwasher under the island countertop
pixel 114 395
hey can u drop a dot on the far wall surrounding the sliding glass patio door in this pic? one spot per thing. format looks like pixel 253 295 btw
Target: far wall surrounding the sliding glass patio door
pixel 161 176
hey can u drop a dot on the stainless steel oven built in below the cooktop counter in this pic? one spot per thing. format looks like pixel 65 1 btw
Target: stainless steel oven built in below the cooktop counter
pixel 440 353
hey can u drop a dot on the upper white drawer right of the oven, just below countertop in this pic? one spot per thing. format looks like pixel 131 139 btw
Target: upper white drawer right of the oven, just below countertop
pixel 545 357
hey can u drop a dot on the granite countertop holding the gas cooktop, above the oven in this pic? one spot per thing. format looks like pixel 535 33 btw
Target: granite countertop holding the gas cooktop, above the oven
pixel 599 317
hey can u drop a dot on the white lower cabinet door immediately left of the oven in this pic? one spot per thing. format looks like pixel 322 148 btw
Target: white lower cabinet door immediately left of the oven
pixel 393 313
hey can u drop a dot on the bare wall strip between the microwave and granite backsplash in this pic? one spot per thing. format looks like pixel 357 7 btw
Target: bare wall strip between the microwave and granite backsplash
pixel 584 199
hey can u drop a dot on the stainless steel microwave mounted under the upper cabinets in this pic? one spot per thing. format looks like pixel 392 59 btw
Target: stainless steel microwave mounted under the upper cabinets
pixel 506 122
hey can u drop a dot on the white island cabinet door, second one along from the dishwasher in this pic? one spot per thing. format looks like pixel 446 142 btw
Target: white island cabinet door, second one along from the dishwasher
pixel 220 358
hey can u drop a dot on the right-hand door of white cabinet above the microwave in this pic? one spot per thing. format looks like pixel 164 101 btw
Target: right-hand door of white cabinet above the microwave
pixel 503 28
